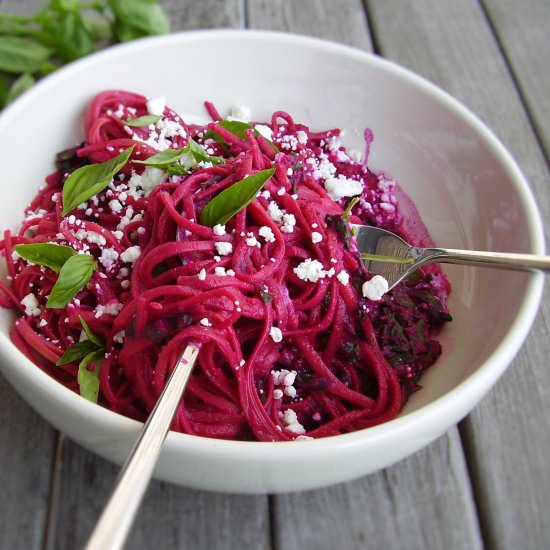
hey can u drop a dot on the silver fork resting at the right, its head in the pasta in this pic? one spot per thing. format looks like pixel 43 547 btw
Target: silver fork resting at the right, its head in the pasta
pixel 385 253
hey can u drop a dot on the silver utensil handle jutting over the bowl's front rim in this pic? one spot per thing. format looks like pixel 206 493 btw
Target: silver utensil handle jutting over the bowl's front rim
pixel 117 517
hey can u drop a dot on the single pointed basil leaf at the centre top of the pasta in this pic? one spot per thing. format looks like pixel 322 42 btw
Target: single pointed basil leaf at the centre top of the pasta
pixel 233 199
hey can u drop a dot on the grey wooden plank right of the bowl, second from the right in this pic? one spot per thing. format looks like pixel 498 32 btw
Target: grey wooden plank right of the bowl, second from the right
pixel 507 436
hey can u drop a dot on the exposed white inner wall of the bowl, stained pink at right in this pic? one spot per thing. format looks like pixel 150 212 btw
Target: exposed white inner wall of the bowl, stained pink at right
pixel 467 192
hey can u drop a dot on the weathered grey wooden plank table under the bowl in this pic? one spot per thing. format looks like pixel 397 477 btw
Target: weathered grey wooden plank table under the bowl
pixel 485 484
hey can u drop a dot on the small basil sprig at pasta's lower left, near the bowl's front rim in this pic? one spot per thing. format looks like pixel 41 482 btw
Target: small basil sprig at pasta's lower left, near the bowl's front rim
pixel 91 350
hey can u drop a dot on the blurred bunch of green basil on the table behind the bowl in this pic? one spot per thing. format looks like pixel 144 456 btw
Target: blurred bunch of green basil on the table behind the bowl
pixel 64 30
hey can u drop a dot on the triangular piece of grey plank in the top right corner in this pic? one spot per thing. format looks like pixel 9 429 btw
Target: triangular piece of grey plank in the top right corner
pixel 523 30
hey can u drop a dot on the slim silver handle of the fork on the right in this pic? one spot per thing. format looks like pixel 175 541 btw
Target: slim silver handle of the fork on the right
pixel 500 260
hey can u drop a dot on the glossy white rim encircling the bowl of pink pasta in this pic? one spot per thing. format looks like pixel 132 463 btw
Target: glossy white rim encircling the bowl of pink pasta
pixel 481 380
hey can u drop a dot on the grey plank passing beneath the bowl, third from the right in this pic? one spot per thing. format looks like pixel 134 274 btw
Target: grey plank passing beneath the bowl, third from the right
pixel 423 502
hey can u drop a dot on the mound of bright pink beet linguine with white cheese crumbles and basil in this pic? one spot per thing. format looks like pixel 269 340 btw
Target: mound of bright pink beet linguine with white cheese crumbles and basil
pixel 158 230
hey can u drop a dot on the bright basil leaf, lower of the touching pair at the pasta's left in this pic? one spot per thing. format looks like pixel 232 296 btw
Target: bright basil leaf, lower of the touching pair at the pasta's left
pixel 73 276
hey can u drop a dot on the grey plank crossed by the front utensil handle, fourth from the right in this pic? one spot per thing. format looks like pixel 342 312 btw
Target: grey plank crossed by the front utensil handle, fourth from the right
pixel 170 517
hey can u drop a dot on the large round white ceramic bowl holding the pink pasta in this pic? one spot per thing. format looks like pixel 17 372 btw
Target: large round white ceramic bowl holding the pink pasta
pixel 467 187
